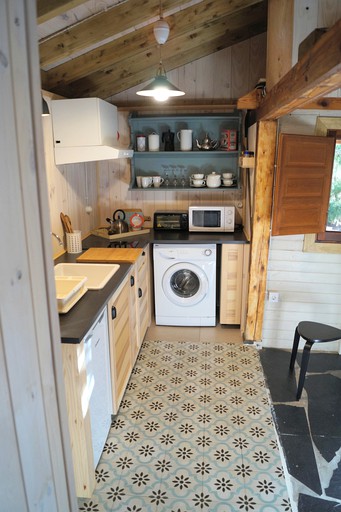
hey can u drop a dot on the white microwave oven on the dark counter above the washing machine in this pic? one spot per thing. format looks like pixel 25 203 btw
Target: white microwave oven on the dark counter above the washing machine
pixel 211 218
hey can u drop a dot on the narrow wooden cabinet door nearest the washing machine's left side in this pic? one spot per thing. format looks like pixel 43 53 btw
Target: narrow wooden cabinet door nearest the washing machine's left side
pixel 144 310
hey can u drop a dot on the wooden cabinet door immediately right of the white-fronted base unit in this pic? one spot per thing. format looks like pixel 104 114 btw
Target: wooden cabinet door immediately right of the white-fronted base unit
pixel 120 346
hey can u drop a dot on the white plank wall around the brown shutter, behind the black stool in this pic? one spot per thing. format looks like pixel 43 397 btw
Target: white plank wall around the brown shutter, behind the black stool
pixel 309 284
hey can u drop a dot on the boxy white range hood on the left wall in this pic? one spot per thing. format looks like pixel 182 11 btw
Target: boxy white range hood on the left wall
pixel 86 130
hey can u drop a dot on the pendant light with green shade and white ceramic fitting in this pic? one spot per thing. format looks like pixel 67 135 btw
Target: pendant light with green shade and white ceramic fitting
pixel 160 88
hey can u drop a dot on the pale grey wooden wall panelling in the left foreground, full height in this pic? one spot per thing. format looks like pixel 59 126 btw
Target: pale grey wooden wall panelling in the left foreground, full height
pixel 34 466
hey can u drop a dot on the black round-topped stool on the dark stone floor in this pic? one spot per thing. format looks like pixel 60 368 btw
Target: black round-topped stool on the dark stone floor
pixel 312 332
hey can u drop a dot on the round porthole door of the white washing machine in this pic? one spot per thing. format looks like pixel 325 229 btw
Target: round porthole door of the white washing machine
pixel 185 284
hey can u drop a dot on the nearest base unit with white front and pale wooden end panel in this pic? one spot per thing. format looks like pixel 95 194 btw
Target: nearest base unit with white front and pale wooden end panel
pixel 89 403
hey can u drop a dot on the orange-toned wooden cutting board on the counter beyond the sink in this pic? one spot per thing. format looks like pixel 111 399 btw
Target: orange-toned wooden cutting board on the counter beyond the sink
pixel 108 255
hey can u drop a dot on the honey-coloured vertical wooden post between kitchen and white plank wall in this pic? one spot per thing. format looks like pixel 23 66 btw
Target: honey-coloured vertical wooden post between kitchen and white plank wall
pixel 264 179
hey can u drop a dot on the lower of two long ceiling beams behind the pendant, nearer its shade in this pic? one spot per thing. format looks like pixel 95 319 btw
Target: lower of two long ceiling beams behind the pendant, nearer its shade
pixel 137 67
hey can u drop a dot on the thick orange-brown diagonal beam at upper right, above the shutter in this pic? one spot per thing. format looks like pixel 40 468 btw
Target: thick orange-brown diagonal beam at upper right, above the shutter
pixel 316 74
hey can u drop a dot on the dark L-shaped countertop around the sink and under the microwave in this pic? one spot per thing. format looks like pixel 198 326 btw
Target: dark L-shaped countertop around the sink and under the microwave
pixel 76 323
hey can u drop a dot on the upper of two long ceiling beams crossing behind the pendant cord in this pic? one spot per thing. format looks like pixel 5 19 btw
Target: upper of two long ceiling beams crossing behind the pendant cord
pixel 129 15
